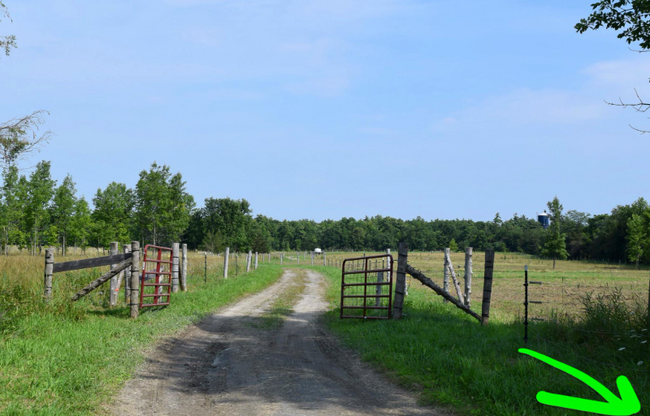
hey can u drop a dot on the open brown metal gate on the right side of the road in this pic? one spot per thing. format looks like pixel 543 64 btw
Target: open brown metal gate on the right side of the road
pixel 367 287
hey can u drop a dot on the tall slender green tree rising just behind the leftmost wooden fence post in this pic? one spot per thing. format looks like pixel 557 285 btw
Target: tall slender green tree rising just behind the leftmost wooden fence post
pixel 40 189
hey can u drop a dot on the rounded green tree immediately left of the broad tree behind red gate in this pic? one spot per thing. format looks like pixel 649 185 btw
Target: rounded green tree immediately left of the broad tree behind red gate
pixel 112 214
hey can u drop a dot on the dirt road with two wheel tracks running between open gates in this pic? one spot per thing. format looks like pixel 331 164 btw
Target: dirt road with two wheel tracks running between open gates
pixel 229 365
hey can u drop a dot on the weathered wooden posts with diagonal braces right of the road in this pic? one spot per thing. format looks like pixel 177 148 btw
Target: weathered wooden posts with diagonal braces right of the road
pixel 463 301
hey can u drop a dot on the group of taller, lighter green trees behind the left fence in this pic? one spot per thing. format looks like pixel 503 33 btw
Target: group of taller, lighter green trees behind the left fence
pixel 36 212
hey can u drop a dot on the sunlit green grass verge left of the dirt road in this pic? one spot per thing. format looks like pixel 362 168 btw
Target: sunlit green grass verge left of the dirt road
pixel 70 363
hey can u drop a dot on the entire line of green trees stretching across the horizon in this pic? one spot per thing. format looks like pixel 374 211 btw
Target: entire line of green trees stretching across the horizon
pixel 35 212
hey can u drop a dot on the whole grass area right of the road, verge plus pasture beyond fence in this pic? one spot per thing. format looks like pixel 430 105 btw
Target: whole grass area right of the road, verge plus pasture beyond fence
pixel 449 359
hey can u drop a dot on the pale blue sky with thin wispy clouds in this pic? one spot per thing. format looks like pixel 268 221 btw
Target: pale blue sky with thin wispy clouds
pixel 331 108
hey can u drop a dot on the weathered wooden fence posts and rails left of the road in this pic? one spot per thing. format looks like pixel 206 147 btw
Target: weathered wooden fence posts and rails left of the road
pixel 125 268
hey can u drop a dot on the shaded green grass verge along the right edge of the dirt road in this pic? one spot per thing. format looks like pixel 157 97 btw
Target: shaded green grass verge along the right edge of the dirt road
pixel 451 360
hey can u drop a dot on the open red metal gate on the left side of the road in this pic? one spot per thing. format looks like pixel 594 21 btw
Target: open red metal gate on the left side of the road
pixel 156 279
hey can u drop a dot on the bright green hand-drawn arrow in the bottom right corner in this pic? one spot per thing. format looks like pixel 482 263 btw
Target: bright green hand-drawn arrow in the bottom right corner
pixel 627 405
